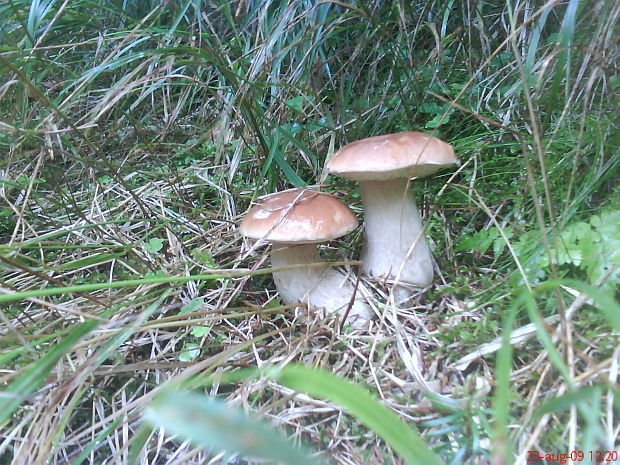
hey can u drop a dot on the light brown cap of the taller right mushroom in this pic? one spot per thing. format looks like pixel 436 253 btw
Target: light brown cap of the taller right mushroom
pixel 400 155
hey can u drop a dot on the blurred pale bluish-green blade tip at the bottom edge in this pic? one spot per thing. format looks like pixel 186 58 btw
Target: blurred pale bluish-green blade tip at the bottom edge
pixel 210 423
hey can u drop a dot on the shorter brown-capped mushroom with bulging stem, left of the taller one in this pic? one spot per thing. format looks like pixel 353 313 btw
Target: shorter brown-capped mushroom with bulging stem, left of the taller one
pixel 295 221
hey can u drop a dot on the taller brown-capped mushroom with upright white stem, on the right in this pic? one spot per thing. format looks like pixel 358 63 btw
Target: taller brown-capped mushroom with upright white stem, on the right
pixel 392 224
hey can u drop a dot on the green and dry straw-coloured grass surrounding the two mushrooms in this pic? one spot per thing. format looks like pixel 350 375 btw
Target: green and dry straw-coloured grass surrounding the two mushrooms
pixel 134 136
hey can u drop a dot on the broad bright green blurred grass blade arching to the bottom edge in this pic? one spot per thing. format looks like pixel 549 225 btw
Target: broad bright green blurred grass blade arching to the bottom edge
pixel 403 438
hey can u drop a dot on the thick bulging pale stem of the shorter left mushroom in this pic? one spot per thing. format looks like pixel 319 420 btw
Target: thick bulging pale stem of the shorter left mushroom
pixel 318 286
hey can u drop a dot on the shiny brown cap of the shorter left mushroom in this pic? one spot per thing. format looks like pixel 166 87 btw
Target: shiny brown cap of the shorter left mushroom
pixel 298 216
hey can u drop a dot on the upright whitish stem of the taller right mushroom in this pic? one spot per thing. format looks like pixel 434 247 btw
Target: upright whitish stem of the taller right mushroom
pixel 392 226
